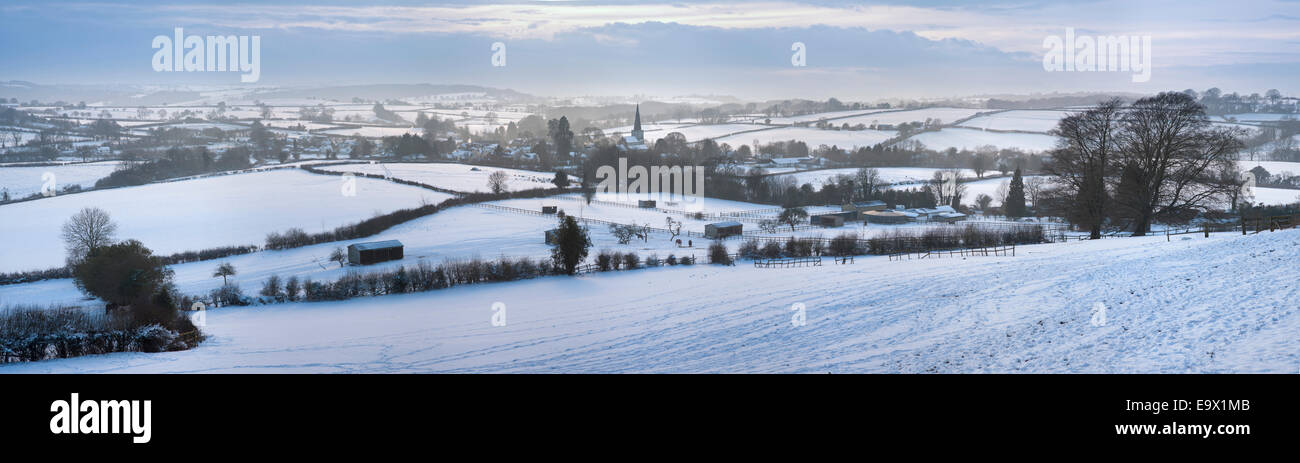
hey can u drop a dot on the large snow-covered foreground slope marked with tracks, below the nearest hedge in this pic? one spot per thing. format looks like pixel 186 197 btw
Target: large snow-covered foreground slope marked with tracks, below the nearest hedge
pixel 1171 308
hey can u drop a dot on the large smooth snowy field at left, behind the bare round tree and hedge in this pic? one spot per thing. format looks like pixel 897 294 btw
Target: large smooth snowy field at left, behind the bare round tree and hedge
pixel 202 214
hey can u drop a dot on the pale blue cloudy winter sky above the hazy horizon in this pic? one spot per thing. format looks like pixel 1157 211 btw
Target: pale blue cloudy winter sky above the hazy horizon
pixel 571 49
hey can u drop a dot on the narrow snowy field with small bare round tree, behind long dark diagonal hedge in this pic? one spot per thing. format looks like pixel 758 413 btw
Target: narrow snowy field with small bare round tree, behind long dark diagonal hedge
pixel 457 178
